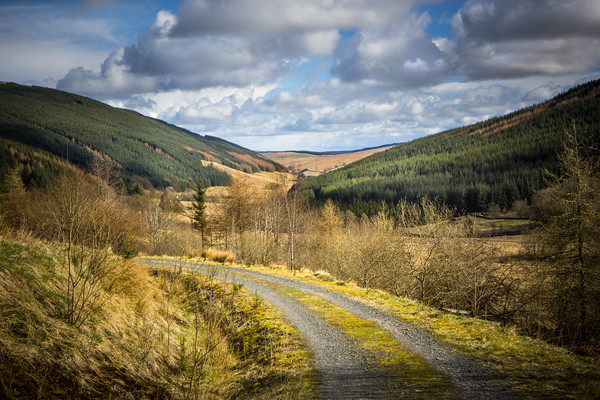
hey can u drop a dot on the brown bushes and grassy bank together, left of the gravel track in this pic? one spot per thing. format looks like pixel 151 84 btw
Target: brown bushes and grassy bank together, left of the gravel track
pixel 81 320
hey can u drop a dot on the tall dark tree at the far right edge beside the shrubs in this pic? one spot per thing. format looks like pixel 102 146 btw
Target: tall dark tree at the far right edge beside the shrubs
pixel 571 216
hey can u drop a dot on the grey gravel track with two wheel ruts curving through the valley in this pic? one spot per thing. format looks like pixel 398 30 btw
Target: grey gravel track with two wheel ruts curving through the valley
pixel 346 370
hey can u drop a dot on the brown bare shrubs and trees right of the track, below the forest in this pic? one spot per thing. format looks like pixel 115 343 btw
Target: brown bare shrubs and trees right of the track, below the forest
pixel 545 281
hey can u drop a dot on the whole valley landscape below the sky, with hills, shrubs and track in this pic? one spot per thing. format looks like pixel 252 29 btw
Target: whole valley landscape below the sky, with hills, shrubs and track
pixel 207 269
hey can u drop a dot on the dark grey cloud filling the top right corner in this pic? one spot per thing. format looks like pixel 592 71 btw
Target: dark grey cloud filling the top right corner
pixel 514 38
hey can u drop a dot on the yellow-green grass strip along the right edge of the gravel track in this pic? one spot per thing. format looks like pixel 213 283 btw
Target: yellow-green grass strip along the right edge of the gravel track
pixel 537 369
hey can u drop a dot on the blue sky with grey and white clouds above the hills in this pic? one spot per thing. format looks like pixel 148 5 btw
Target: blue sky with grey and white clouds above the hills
pixel 314 75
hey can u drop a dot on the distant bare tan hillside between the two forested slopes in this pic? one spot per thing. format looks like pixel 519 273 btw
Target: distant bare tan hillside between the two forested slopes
pixel 312 163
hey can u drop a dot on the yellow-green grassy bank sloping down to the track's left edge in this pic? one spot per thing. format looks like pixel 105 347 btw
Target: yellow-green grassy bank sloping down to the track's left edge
pixel 153 336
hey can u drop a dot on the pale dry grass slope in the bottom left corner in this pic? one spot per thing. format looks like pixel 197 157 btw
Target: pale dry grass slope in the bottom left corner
pixel 42 353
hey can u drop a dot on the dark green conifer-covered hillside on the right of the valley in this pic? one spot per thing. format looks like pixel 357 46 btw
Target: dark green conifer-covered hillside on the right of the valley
pixel 496 161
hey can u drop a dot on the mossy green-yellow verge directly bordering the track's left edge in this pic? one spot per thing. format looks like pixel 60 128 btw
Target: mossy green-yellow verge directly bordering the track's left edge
pixel 271 361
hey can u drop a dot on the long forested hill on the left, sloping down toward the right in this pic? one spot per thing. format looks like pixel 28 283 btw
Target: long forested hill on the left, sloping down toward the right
pixel 36 121
